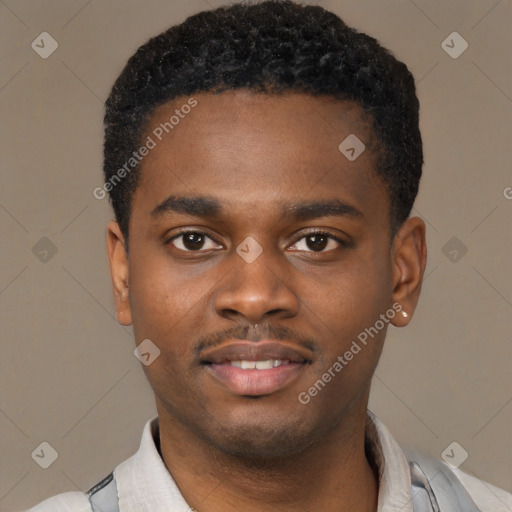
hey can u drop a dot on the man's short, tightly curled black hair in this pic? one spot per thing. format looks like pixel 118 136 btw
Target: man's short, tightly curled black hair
pixel 273 46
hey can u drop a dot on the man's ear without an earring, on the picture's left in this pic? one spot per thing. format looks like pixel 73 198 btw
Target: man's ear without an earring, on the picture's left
pixel 118 260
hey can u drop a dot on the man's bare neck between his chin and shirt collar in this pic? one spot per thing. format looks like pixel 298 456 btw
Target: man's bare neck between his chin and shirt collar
pixel 333 474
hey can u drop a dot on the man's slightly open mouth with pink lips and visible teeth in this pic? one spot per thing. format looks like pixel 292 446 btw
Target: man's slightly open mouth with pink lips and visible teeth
pixel 247 368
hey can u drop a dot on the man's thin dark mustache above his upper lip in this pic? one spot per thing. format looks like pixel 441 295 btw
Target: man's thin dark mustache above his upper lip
pixel 256 332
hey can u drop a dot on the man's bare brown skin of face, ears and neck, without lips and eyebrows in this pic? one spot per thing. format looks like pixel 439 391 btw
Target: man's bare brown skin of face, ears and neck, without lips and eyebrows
pixel 255 154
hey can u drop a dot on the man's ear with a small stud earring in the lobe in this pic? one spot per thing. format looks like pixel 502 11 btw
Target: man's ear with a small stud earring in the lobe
pixel 409 257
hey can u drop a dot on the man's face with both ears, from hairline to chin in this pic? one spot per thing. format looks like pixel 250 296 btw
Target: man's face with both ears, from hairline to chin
pixel 258 254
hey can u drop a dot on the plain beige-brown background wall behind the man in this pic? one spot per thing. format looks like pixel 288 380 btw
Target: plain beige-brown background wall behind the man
pixel 68 374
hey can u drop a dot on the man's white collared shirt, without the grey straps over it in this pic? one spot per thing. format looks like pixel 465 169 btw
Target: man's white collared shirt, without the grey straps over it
pixel 145 485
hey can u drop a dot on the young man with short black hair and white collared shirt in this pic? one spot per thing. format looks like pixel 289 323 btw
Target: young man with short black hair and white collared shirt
pixel 262 161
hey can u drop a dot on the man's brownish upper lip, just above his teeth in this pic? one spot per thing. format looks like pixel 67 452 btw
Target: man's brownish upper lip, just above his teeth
pixel 256 351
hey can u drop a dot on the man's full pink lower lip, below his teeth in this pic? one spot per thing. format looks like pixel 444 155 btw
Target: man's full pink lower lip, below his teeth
pixel 255 382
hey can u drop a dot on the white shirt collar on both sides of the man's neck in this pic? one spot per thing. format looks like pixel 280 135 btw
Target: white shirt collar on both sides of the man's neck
pixel 145 485
